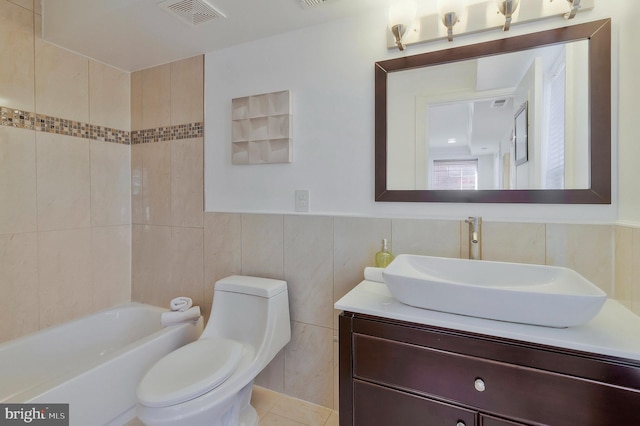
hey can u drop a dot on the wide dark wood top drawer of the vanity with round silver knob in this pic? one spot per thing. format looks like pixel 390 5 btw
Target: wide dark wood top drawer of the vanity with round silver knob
pixel 493 387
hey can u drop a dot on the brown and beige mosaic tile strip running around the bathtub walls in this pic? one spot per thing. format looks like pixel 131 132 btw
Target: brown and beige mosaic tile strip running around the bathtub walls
pixel 45 123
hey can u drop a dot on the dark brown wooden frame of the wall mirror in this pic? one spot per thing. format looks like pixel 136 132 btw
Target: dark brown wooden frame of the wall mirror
pixel 599 35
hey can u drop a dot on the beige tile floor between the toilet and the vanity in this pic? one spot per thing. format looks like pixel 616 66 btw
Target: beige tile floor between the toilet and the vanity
pixel 276 409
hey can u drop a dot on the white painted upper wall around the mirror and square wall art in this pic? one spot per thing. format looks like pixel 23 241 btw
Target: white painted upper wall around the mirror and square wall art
pixel 330 71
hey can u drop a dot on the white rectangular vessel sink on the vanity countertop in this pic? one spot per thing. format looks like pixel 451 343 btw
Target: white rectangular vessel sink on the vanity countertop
pixel 529 294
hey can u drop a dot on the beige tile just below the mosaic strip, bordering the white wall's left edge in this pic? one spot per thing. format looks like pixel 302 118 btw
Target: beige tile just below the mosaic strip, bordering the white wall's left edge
pixel 187 182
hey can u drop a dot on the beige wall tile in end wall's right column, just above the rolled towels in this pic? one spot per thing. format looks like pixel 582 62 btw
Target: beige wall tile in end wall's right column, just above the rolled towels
pixel 187 263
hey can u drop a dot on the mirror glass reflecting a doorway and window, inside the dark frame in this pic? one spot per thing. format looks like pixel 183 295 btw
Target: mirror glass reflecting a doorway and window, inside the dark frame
pixel 510 121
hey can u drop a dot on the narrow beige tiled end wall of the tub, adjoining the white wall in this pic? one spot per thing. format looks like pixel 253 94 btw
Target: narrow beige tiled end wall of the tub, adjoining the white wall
pixel 167 111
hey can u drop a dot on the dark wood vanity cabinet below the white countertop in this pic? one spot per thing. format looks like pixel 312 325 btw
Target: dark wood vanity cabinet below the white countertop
pixel 398 373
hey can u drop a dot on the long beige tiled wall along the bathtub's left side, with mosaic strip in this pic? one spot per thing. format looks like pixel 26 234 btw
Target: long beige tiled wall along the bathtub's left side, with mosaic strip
pixel 64 179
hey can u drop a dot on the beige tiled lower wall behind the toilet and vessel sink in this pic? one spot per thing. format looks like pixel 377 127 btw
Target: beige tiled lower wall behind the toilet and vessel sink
pixel 322 258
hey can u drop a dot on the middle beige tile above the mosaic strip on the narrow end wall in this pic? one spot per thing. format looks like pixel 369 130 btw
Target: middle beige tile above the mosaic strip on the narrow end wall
pixel 156 97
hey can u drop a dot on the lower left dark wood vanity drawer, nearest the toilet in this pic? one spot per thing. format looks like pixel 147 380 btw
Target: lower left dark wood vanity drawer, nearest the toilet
pixel 378 406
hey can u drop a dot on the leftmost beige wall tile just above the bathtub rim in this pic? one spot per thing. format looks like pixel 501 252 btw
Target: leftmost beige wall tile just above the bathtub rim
pixel 19 285
